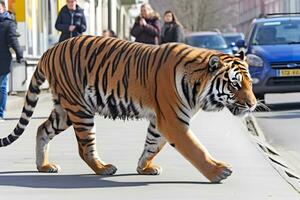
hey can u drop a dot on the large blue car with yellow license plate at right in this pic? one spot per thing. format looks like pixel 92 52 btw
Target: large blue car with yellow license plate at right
pixel 273 53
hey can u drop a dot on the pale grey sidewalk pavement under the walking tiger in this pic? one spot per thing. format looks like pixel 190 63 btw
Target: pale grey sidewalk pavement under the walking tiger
pixel 225 136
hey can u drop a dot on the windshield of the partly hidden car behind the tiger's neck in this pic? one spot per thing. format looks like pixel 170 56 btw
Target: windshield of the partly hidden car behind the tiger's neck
pixel 207 41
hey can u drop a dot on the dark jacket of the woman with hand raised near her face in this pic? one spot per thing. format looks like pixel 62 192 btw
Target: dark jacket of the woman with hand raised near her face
pixel 149 33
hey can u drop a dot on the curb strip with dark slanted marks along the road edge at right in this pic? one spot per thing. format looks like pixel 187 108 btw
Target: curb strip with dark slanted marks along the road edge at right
pixel 271 153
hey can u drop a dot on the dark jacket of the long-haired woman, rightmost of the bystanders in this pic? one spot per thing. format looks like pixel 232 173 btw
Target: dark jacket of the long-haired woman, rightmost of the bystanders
pixel 172 32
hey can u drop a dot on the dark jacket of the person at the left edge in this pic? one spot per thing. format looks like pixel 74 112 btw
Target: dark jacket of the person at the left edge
pixel 8 38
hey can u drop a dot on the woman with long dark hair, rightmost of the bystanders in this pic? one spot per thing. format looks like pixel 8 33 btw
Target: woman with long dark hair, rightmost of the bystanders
pixel 172 30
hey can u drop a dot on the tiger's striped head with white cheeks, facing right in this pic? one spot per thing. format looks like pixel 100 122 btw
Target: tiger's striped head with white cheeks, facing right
pixel 231 85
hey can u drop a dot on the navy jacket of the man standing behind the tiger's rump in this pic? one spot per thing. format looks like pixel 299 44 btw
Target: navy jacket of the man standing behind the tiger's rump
pixel 66 18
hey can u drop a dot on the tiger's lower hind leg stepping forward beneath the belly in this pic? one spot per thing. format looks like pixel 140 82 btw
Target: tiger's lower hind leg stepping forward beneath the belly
pixel 86 138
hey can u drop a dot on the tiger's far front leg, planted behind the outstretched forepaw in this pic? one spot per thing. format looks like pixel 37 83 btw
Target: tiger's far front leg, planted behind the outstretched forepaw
pixel 154 143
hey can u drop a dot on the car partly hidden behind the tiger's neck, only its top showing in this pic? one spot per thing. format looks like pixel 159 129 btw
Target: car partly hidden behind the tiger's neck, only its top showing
pixel 209 40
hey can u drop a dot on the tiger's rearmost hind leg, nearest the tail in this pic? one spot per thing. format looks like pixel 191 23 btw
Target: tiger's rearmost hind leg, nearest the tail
pixel 56 123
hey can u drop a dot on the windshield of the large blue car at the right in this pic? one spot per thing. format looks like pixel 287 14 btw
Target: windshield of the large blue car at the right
pixel 277 32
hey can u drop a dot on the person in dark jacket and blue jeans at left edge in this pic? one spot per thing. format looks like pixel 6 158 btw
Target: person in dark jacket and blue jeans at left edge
pixel 8 39
